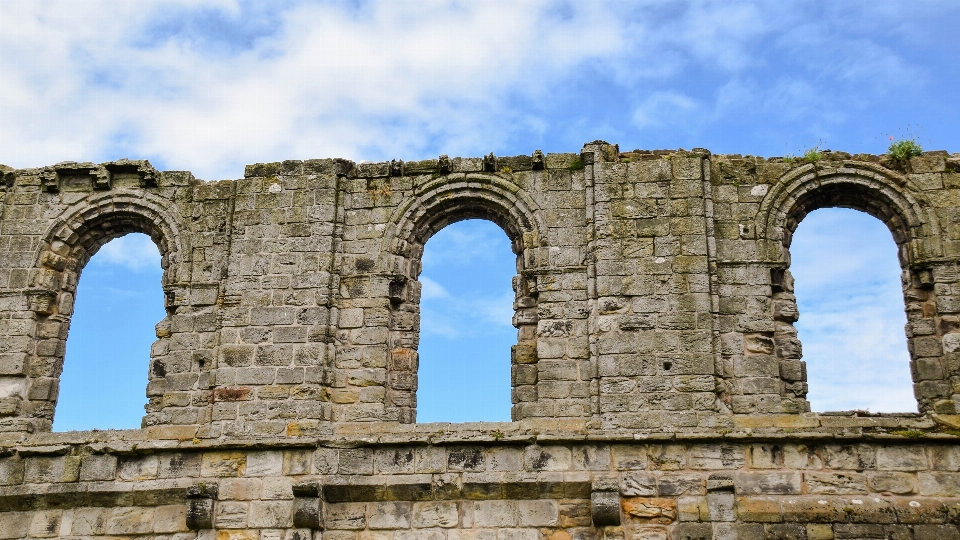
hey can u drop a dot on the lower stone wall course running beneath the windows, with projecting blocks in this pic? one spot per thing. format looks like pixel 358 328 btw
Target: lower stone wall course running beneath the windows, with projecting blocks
pixel 453 484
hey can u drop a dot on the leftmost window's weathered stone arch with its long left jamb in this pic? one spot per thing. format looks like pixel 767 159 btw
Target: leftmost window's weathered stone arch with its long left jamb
pixel 64 250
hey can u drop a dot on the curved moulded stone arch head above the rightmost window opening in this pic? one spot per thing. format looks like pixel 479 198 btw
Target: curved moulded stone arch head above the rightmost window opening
pixel 888 196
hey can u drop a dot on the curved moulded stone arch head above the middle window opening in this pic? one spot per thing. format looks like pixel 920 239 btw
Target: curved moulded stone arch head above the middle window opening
pixel 446 200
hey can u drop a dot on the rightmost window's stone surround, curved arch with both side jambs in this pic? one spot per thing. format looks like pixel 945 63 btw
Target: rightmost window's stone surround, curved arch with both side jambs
pixel 885 195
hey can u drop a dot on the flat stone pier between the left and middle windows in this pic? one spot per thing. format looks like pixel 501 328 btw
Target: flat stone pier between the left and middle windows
pixel 272 353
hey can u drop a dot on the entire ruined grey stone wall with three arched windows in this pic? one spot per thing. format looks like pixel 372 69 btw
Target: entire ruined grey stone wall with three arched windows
pixel 658 385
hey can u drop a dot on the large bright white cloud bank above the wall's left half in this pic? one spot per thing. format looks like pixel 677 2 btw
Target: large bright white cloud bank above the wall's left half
pixel 330 81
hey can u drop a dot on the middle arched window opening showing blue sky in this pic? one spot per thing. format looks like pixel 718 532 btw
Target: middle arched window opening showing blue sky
pixel 466 307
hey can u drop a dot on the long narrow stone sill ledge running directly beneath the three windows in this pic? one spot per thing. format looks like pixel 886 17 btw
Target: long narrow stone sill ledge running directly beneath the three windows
pixel 813 427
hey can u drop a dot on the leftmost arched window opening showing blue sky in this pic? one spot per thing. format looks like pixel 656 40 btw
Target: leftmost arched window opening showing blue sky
pixel 118 302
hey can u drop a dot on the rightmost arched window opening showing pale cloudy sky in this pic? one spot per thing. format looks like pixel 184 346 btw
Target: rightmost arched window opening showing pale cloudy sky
pixel 849 293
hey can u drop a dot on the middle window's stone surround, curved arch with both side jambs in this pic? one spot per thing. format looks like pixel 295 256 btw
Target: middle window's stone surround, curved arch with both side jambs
pixel 439 203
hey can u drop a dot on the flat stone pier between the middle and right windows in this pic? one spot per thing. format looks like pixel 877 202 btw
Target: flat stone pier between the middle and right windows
pixel 655 312
